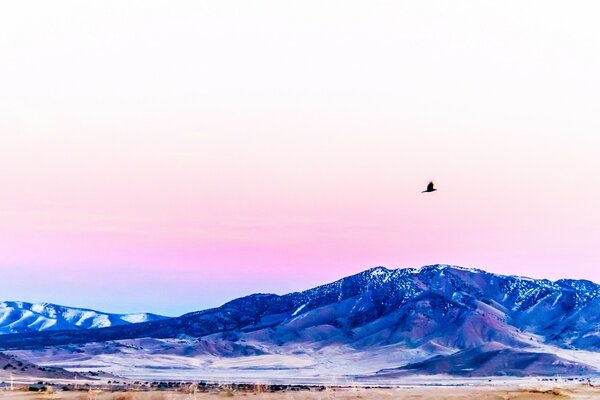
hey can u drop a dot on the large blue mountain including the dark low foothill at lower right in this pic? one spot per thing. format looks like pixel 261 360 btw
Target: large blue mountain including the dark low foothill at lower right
pixel 421 313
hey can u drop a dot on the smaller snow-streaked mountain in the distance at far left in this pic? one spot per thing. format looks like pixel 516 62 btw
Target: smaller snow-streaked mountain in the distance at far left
pixel 22 317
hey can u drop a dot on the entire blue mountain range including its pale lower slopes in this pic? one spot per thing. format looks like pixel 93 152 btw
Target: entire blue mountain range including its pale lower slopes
pixel 380 324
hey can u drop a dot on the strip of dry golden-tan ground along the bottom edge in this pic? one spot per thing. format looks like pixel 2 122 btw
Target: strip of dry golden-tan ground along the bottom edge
pixel 408 393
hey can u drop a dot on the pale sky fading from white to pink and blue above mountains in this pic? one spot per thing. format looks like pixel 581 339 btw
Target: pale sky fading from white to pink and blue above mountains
pixel 169 156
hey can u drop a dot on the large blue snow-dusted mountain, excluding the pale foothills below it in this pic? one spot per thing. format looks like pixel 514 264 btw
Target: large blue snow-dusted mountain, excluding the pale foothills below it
pixel 456 307
